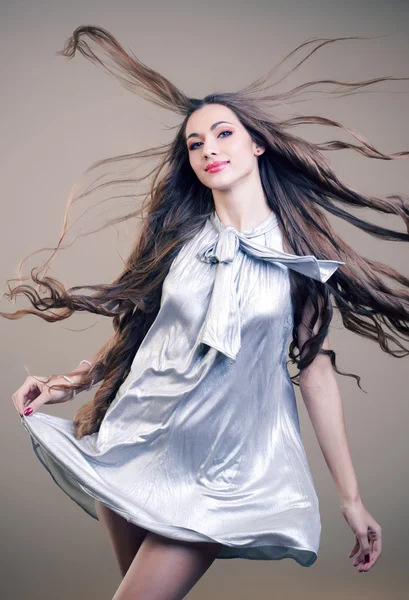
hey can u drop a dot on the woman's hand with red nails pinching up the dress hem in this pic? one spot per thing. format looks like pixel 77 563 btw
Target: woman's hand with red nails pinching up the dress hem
pixel 35 392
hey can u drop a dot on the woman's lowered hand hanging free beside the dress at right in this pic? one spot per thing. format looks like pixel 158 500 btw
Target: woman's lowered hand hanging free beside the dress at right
pixel 368 534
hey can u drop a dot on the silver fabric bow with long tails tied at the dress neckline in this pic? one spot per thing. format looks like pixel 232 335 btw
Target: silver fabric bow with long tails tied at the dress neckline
pixel 221 327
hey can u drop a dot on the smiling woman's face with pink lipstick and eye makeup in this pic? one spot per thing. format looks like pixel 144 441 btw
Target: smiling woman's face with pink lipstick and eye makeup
pixel 214 134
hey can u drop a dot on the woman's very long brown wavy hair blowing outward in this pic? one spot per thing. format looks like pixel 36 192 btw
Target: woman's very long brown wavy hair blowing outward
pixel 300 187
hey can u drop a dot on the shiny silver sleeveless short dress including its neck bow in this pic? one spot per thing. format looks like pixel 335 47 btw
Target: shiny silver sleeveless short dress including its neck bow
pixel 202 441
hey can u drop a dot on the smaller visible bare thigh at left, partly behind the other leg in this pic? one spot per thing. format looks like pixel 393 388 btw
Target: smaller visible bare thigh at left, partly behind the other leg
pixel 125 537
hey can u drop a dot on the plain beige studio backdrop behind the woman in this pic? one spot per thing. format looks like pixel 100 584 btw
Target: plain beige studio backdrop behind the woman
pixel 57 118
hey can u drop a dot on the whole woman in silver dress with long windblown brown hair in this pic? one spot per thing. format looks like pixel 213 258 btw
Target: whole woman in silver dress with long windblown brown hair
pixel 191 448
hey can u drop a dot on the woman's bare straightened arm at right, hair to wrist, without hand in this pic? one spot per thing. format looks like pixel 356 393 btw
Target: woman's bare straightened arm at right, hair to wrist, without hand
pixel 323 402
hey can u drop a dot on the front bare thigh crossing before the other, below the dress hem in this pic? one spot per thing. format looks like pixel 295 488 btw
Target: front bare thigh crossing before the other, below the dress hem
pixel 165 569
